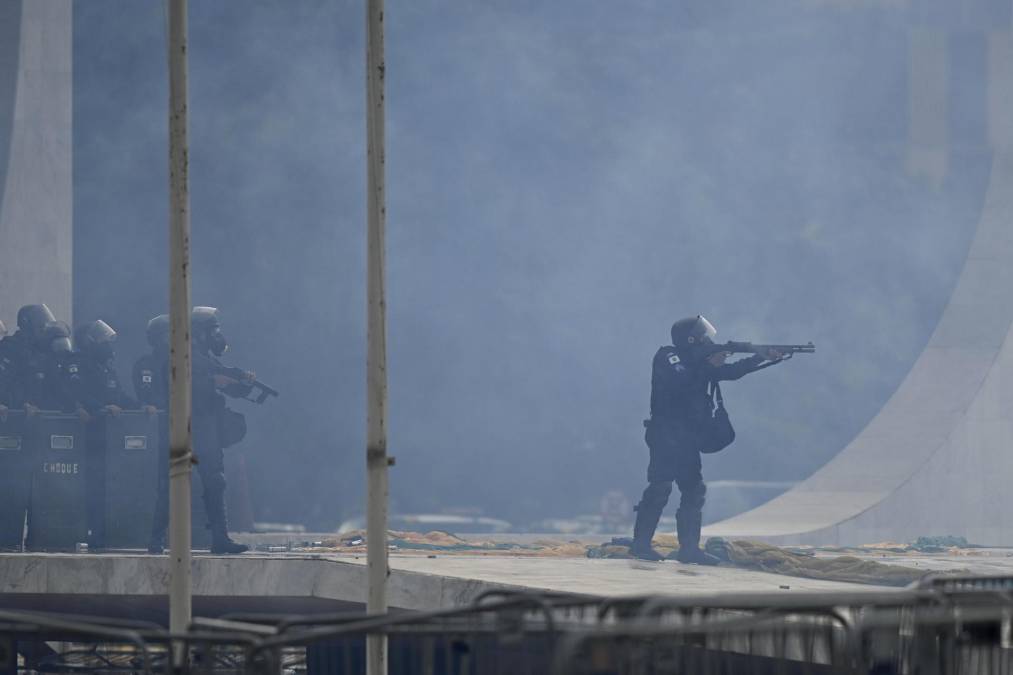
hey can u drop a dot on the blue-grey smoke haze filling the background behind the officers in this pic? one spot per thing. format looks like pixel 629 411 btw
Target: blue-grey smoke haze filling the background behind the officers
pixel 565 180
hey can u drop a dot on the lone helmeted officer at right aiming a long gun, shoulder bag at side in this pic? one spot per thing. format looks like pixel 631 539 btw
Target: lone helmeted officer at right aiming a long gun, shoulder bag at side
pixel 681 377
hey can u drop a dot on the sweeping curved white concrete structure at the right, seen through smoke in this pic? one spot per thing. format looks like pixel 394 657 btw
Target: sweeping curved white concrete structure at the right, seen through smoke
pixel 939 458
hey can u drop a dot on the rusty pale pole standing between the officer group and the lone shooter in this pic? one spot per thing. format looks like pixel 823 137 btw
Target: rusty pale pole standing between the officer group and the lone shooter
pixel 376 358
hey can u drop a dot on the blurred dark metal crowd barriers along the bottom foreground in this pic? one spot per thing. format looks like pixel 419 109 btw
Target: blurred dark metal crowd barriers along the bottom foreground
pixel 945 626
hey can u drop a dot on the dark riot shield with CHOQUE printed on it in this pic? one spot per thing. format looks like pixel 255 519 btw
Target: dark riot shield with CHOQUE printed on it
pixel 57 509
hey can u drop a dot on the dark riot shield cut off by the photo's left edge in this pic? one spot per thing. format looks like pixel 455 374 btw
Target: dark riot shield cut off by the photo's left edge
pixel 16 480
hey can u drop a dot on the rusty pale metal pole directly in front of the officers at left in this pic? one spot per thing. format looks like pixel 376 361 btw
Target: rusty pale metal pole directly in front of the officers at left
pixel 180 303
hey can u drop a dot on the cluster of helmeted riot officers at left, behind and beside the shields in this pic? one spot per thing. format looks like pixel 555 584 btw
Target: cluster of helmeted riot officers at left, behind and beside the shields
pixel 42 368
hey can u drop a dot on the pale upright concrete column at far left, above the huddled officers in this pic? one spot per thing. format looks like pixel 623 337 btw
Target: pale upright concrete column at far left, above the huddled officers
pixel 36 193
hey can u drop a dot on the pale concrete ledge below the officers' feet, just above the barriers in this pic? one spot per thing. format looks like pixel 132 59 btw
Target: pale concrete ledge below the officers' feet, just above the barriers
pixel 136 585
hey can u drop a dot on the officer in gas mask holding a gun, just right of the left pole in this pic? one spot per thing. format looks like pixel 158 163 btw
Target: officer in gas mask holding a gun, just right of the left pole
pixel 209 417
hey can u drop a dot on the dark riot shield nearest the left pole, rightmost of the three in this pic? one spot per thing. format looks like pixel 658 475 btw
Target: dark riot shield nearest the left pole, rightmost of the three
pixel 131 443
